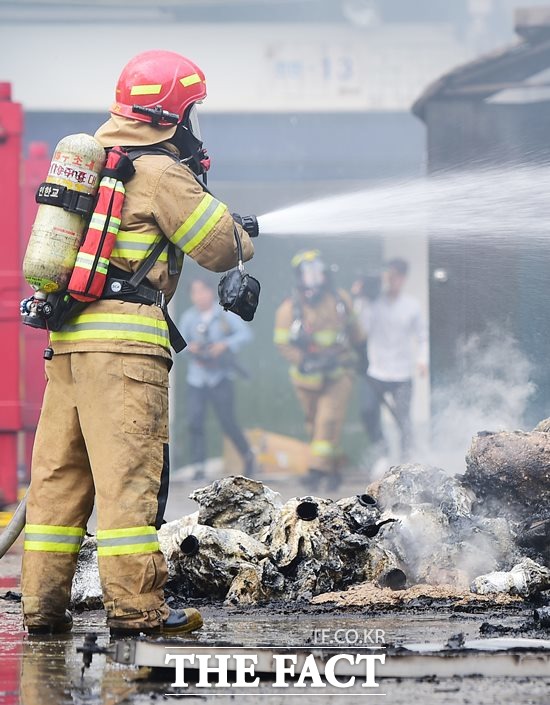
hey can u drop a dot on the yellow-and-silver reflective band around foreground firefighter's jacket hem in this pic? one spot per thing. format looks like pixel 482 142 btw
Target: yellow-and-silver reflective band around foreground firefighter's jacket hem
pixel 114 326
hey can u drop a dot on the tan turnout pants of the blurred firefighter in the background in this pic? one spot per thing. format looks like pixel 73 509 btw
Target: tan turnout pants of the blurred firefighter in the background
pixel 325 411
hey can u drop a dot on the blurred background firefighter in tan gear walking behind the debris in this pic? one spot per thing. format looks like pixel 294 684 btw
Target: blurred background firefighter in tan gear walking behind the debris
pixel 316 331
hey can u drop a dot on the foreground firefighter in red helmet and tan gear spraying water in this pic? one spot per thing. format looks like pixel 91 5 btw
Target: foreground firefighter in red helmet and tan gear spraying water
pixel 103 429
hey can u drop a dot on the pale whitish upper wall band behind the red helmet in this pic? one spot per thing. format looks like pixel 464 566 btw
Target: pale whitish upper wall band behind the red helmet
pixel 270 67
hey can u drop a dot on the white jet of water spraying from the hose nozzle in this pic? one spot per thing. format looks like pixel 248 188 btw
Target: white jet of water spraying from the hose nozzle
pixel 499 202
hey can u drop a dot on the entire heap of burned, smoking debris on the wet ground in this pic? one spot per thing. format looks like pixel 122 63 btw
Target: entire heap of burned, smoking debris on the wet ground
pixel 482 533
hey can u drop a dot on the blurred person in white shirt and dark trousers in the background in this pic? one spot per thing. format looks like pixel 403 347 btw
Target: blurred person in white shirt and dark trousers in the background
pixel 397 340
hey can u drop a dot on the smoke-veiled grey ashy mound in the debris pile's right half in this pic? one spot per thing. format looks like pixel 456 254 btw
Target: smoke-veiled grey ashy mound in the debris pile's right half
pixel 437 535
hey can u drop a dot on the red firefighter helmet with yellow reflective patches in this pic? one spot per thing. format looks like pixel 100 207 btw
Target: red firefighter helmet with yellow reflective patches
pixel 158 79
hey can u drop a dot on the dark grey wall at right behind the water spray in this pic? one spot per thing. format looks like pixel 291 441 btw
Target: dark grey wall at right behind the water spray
pixel 491 284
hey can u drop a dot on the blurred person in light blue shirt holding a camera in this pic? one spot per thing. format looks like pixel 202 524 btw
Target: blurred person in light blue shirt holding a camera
pixel 213 338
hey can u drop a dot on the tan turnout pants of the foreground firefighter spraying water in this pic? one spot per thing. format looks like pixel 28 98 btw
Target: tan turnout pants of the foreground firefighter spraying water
pixel 103 431
